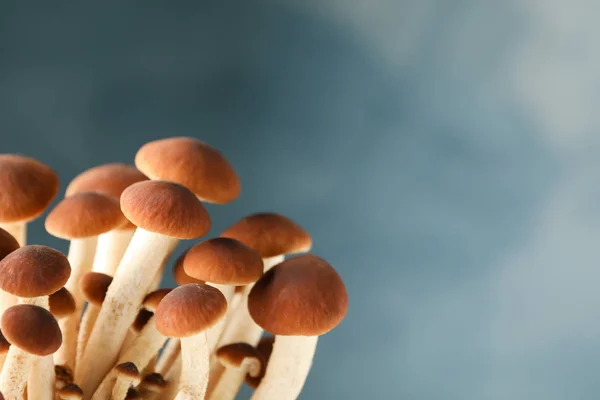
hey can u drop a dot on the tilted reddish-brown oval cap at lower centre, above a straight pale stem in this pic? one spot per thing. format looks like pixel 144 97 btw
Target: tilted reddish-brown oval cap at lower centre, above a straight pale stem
pixel 189 310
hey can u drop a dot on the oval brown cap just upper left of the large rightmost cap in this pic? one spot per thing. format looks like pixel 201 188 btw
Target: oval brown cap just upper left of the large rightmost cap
pixel 224 261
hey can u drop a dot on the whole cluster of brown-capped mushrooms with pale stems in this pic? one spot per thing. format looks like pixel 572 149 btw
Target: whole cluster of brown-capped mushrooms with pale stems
pixel 94 324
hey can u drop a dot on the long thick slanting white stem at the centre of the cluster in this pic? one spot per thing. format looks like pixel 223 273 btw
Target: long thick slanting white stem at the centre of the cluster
pixel 125 294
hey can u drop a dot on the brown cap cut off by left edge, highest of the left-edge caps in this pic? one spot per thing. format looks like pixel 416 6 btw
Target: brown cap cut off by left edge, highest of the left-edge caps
pixel 27 187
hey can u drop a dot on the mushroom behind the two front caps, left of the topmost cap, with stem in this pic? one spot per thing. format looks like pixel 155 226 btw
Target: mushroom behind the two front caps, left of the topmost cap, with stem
pixel 110 180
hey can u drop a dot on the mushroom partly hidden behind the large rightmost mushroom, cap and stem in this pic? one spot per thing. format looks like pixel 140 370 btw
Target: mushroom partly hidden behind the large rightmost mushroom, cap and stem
pixel 273 236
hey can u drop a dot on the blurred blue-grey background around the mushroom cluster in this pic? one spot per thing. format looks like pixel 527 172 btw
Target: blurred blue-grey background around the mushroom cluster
pixel 443 155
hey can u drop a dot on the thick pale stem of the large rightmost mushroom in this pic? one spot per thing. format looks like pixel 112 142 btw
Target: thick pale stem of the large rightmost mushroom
pixel 288 368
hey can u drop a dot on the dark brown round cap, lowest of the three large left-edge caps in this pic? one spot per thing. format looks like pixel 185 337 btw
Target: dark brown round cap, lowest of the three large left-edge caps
pixel 32 329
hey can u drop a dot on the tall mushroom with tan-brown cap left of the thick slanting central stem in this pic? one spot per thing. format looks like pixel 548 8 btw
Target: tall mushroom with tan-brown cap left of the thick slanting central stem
pixel 80 218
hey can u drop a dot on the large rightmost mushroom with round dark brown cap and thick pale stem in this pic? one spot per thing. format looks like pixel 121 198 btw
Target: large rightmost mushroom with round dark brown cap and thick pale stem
pixel 297 300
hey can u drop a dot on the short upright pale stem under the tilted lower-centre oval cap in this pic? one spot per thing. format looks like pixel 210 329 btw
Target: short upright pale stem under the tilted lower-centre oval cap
pixel 195 366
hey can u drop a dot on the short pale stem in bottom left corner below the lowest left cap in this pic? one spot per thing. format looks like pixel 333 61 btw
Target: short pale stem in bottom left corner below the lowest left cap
pixel 13 377
